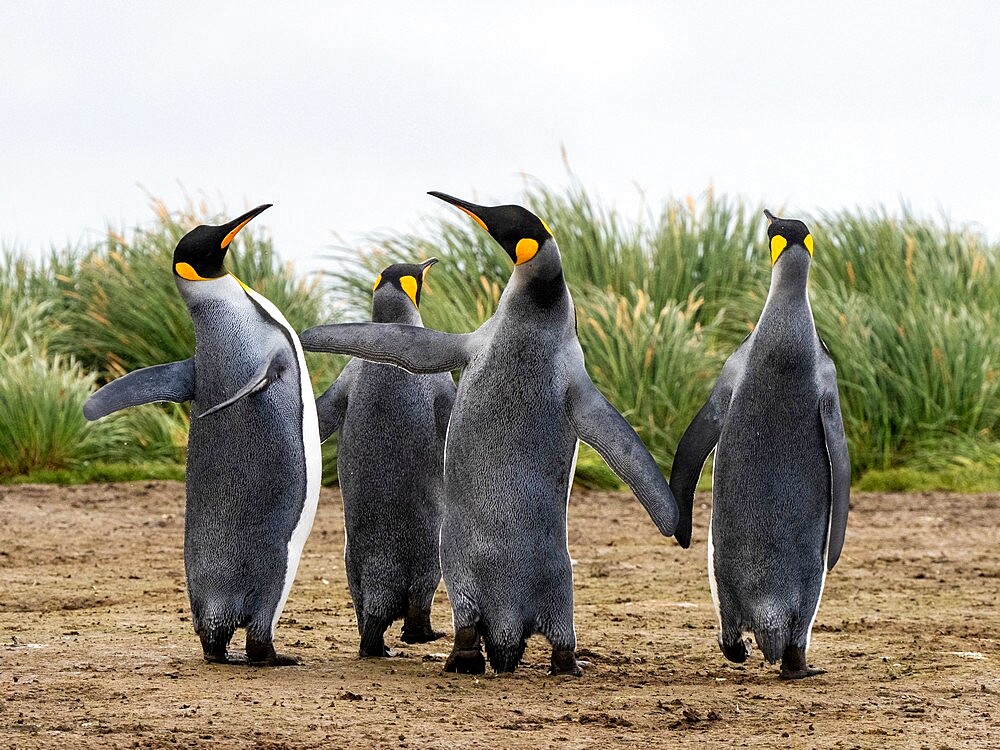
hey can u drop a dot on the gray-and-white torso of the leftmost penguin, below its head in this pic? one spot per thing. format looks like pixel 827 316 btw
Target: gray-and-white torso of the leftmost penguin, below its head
pixel 253 468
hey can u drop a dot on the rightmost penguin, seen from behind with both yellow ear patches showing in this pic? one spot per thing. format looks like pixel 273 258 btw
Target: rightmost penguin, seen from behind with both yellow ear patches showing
pixel 782 475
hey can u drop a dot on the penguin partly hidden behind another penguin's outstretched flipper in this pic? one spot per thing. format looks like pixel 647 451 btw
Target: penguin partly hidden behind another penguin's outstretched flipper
pixel 390 458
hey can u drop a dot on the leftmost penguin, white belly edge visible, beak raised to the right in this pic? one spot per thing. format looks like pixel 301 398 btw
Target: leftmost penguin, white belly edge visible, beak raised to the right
pixel 253 460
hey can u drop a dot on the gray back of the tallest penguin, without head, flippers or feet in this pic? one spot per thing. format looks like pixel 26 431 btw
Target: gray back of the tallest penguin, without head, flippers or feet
pixel 510 454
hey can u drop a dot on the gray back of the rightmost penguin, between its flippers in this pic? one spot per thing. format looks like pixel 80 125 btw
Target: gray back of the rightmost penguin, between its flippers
pixel 771 483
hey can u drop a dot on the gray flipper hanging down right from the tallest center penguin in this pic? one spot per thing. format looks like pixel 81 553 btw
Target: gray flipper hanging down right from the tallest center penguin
pixel 603 428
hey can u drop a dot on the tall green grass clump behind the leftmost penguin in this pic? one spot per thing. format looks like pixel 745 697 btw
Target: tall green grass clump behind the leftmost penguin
pixel 87 315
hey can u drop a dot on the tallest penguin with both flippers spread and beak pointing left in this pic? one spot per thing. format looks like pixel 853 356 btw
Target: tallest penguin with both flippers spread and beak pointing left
pixel 524 401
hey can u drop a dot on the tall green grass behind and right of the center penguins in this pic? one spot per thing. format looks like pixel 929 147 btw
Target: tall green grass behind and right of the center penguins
pixel 909 308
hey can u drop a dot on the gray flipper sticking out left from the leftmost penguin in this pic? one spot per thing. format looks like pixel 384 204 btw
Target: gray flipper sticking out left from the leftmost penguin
pixel 173 381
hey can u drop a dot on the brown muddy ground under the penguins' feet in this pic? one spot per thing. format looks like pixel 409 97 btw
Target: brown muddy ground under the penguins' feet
pixel 96 646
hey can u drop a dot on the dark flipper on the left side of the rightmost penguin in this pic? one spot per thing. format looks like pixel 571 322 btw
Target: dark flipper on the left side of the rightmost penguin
pixel 699 439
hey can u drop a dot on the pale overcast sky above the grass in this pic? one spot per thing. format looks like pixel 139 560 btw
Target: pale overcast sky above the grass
pixel 344 114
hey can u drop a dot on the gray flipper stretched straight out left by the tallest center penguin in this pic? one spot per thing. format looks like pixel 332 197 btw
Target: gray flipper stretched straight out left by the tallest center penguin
pixel 414 348
